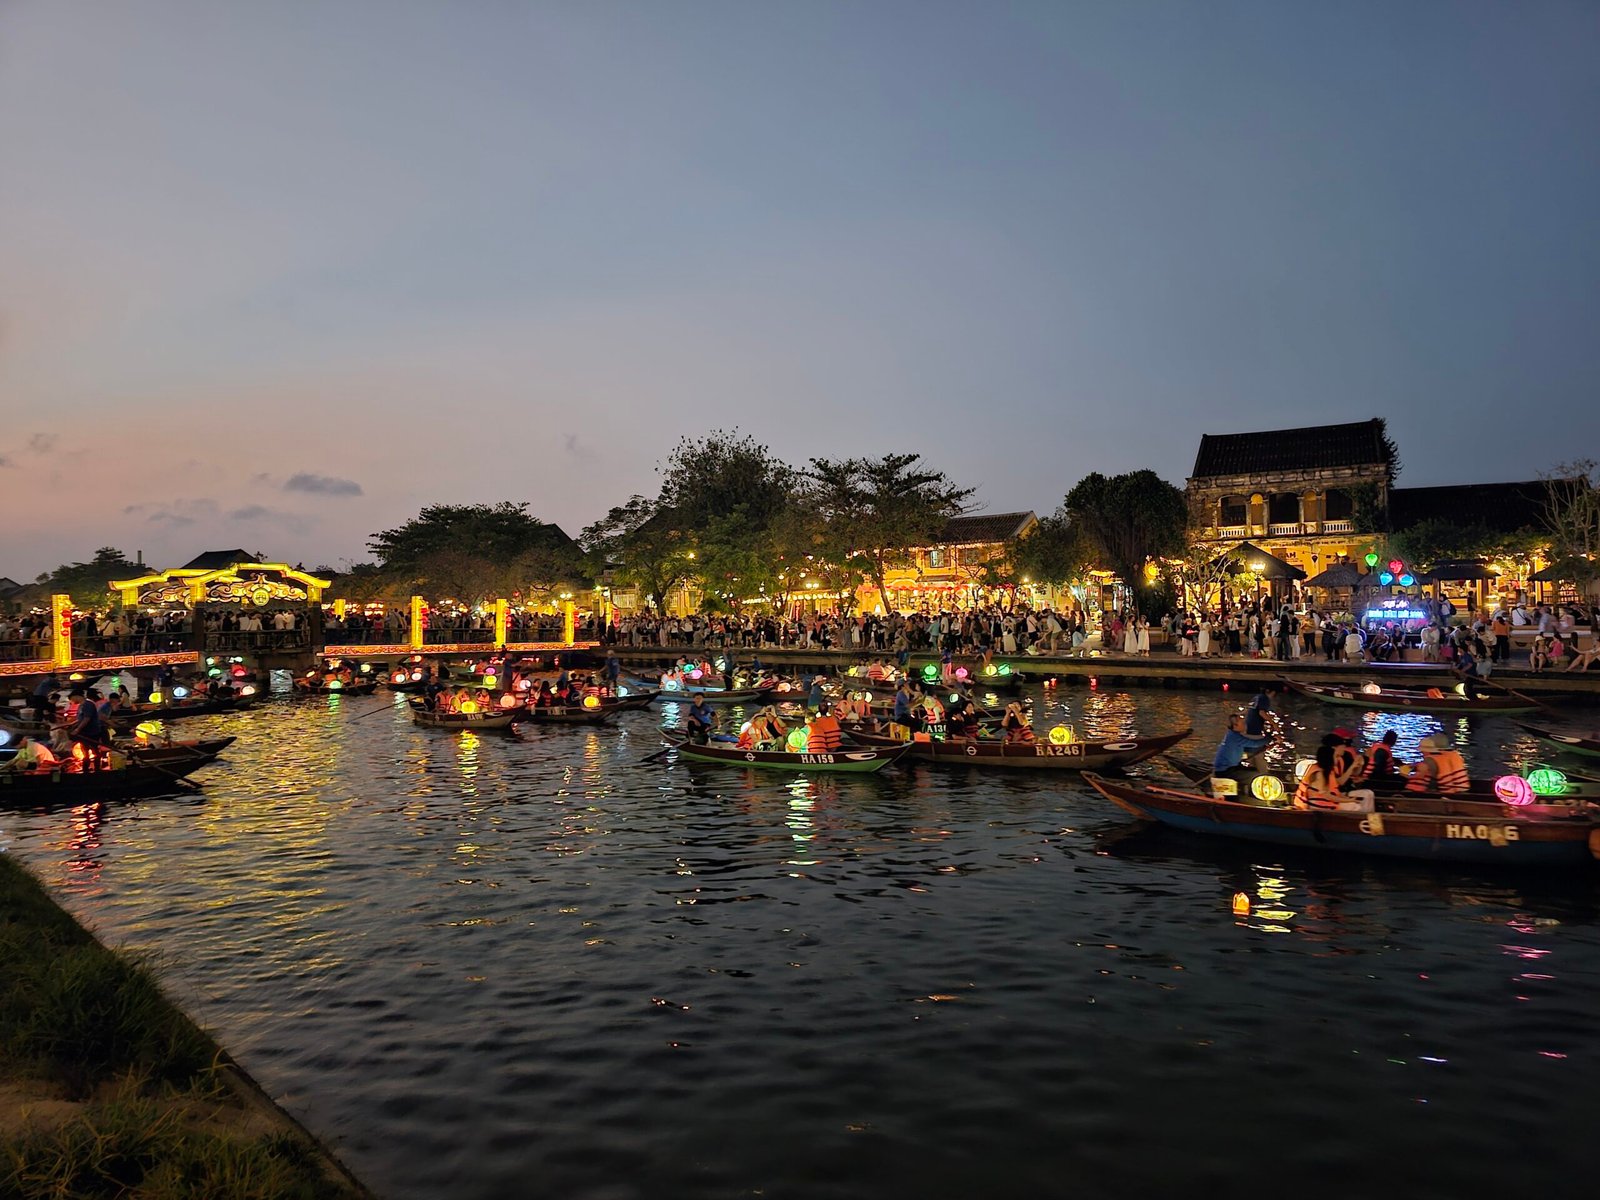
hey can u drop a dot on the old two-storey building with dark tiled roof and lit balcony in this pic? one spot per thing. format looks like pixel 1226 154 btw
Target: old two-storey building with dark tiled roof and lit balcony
pixel 1311 497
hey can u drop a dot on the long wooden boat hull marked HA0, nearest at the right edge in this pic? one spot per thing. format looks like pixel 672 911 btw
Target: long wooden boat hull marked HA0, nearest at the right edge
pixel 1446 838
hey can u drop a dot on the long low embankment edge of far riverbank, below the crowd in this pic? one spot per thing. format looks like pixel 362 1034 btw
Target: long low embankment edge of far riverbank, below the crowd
pixel 1161 670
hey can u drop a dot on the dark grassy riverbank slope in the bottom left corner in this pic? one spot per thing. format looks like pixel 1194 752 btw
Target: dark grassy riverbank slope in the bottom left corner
pixel 108 1090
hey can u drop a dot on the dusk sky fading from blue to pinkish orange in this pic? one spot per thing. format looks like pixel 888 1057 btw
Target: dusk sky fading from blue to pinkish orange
pixel 279 274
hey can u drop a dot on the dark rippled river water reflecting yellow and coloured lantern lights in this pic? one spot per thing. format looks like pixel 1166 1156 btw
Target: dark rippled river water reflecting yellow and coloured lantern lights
pixel 482 967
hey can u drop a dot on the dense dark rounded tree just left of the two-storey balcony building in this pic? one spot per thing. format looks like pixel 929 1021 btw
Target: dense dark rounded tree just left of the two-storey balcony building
pixel 1130 521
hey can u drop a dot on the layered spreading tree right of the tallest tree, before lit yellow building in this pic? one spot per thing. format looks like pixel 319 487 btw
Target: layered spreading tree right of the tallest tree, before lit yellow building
pixel 881 510
